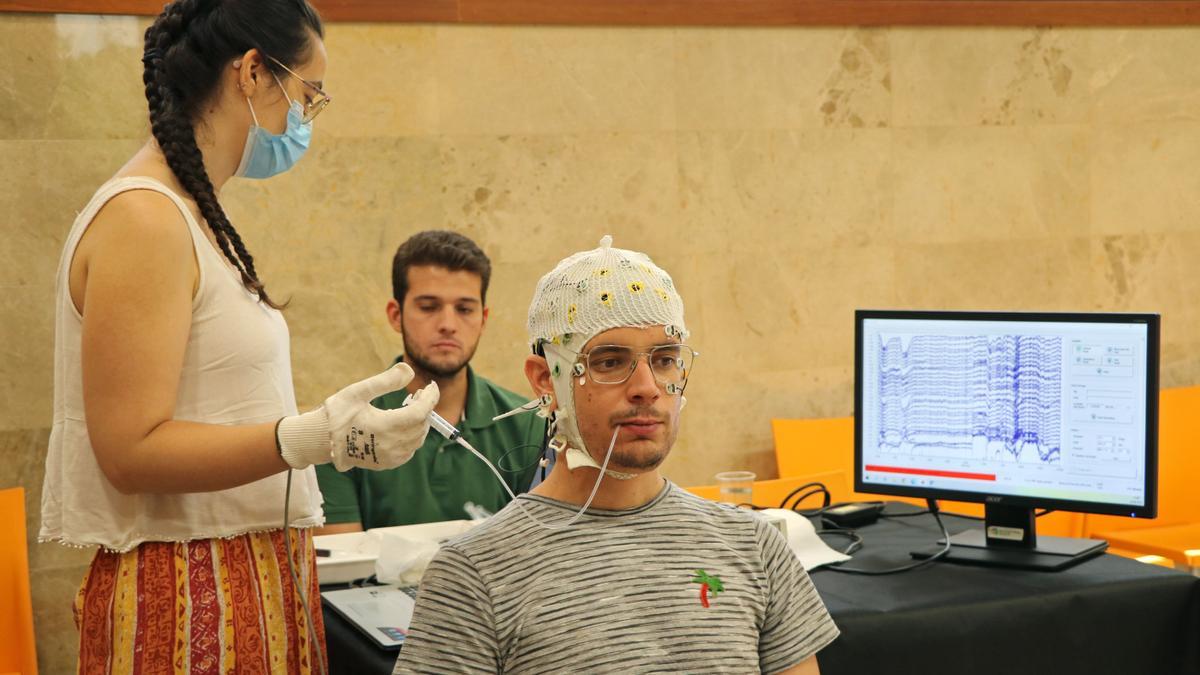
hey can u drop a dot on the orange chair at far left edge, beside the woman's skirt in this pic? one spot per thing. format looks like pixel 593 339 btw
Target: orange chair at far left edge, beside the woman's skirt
pixel 17 652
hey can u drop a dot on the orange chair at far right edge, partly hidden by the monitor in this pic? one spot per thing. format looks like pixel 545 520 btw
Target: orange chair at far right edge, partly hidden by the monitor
pixel 1179 465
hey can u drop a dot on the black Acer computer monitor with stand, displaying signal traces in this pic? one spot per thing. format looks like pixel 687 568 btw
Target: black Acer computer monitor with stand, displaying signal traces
pixel 1018 411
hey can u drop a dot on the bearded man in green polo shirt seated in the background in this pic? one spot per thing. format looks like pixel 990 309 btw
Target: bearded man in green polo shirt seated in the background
pixel 440 286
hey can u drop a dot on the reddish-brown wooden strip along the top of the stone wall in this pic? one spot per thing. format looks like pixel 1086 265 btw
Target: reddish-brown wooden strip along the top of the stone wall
pixel 707 13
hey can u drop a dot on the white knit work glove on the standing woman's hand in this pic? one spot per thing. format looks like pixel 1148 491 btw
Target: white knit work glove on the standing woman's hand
pixel 350 432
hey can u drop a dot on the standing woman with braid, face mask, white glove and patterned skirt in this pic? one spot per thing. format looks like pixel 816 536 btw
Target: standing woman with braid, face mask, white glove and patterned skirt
pixel 176 426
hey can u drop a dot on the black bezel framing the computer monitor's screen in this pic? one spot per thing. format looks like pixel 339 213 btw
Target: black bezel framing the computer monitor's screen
pixel 1150 510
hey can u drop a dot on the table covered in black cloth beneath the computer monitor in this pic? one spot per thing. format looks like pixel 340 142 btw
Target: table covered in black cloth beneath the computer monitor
pixel 1108 616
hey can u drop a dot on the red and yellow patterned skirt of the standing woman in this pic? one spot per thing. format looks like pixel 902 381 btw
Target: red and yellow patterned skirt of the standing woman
pixel 209 606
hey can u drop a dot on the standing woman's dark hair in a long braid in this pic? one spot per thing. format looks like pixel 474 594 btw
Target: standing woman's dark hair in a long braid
pixel 185 52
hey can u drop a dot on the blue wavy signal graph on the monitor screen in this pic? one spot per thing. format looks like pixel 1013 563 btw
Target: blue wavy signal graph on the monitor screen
pixel 971 397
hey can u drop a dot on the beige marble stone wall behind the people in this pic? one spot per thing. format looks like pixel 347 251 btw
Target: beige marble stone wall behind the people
pixel 784 176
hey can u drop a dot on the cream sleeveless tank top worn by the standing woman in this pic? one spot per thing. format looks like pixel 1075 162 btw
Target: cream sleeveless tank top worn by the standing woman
pixel 237 371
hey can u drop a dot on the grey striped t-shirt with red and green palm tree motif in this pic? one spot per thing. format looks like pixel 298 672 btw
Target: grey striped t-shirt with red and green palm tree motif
pixel 620 592
